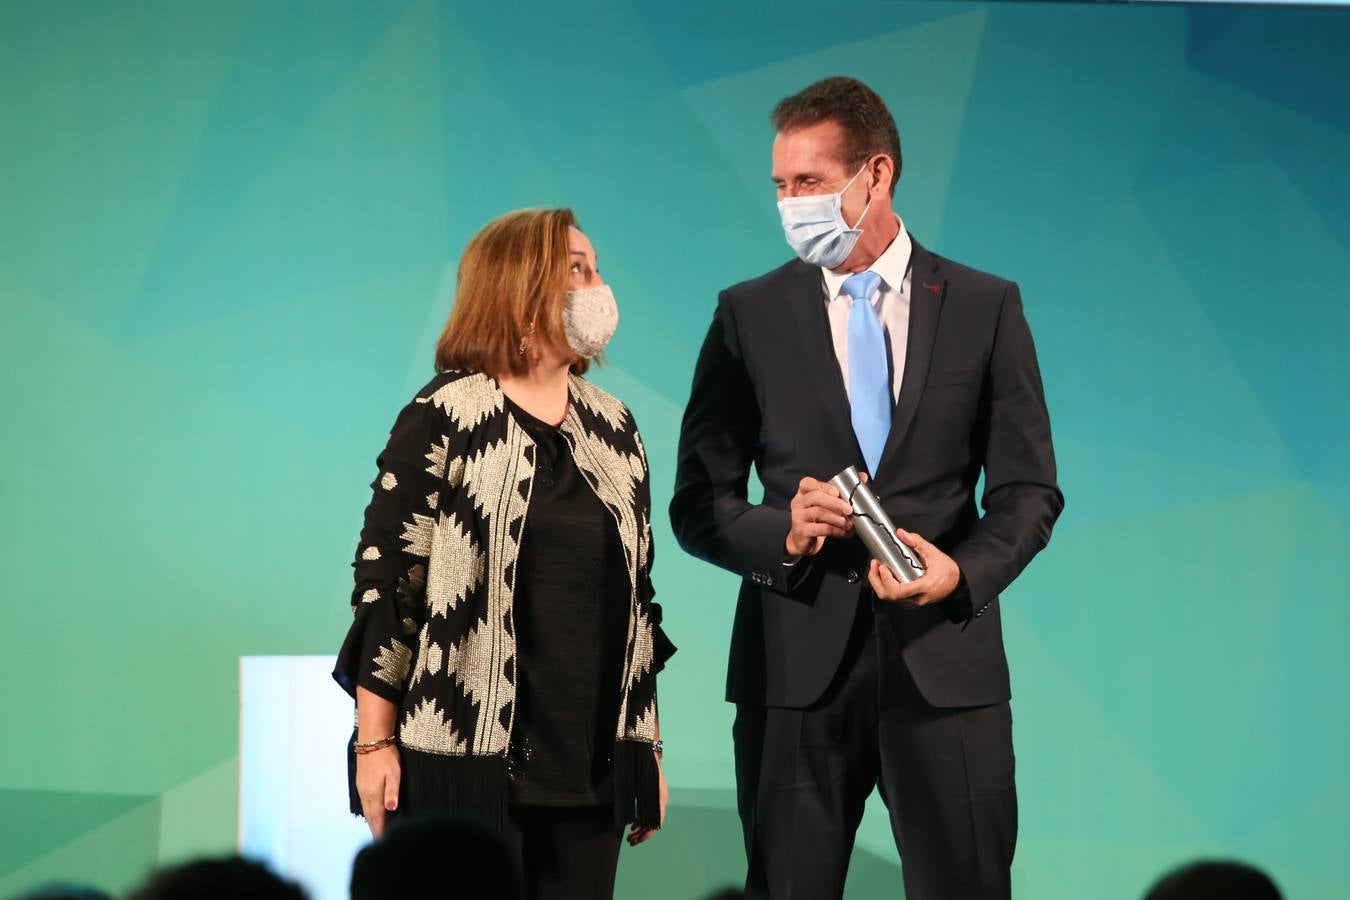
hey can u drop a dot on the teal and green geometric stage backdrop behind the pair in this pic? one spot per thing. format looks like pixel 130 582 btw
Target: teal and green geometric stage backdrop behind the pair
pixel 229 238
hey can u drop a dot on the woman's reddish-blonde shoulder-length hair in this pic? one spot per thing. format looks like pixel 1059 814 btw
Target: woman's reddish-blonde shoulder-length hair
pixel 511 291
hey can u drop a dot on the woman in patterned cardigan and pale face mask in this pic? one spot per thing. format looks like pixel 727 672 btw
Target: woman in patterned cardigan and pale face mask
pixel 506 644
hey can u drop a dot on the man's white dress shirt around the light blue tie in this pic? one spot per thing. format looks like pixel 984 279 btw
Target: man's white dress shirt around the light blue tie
pixel 892 302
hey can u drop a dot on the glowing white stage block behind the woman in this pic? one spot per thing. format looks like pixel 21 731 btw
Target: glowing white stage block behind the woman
pixel 294 729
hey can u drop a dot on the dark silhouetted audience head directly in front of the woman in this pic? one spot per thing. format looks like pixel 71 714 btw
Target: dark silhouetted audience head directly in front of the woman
pixel 429 856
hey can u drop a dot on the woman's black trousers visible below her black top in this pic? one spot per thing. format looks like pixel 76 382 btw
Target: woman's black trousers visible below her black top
pixel 566 853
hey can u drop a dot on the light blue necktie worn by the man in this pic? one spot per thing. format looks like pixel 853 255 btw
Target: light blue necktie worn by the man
pixel 869 373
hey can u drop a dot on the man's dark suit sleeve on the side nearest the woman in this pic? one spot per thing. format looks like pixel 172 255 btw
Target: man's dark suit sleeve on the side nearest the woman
pixel 711 512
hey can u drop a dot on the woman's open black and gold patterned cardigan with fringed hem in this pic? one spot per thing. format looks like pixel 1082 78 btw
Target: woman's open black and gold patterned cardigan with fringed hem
pixel 435 581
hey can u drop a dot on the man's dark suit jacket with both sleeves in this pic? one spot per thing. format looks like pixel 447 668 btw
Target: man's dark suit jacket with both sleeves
pixel 769 392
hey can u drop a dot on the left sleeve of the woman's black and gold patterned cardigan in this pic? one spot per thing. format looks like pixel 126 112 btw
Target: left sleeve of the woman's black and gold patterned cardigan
pixel 388 598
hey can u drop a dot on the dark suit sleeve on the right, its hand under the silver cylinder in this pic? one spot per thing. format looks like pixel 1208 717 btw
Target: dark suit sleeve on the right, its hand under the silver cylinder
pixel 1021 497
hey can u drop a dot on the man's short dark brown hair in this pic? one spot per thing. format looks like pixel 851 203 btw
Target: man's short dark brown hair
pixel 869 126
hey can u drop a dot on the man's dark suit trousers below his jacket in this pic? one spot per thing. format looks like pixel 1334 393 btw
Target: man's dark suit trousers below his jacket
pixel 947 777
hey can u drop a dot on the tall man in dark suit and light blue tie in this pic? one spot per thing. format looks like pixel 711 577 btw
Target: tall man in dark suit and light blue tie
pixel 867 351
